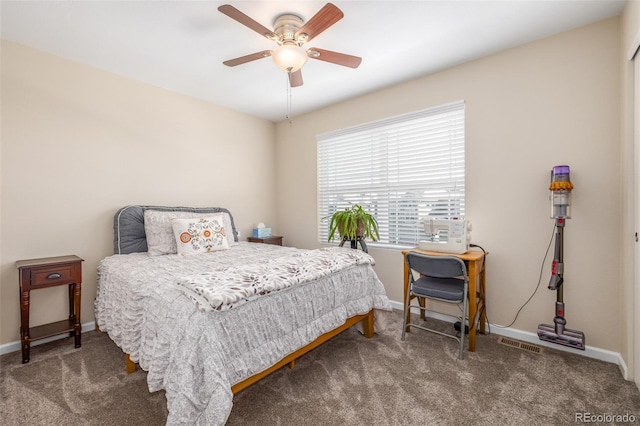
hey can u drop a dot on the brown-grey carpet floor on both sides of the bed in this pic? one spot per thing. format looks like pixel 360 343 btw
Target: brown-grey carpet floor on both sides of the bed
pixel 349 380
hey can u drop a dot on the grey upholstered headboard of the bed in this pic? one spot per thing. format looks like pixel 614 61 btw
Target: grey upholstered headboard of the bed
pixel 128 226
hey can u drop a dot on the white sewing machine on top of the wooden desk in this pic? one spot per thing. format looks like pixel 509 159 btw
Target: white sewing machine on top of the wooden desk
pixel 446 235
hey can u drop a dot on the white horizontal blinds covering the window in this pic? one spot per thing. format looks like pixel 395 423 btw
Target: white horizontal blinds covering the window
pixel 401 170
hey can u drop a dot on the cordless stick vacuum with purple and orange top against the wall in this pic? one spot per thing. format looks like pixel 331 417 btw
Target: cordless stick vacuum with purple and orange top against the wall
pixel 560 187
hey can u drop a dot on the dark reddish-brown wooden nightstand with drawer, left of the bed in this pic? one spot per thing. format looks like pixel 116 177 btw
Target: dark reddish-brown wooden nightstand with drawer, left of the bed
pixel 49 272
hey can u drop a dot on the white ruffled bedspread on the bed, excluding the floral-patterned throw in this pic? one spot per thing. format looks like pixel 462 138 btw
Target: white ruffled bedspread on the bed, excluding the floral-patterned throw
pixel 197 356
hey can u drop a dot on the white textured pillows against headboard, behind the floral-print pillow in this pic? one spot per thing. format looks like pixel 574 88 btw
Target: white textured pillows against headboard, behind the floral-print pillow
pixel 160 238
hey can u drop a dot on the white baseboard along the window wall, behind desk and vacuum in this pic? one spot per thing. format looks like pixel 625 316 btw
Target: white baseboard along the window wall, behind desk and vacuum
pixel 525 336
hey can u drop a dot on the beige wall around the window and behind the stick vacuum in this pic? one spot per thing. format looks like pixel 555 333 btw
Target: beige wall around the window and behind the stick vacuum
pixel 551 102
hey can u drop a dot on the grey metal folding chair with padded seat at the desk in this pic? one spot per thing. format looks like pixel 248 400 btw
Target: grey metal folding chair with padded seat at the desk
pixel 442 278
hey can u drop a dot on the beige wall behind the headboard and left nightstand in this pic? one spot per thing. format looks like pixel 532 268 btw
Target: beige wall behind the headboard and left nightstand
pixel 79 143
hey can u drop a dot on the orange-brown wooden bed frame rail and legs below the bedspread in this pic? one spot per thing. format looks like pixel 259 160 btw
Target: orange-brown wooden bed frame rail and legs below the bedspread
pixel 368 330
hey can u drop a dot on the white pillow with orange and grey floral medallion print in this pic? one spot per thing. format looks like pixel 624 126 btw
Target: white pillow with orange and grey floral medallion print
pixel 199 234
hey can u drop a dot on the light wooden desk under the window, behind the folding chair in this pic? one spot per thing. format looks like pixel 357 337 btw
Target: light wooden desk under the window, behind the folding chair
pixel 475 260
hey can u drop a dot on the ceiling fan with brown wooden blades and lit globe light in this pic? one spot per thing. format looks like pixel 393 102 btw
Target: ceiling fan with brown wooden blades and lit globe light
pixel 290 32
